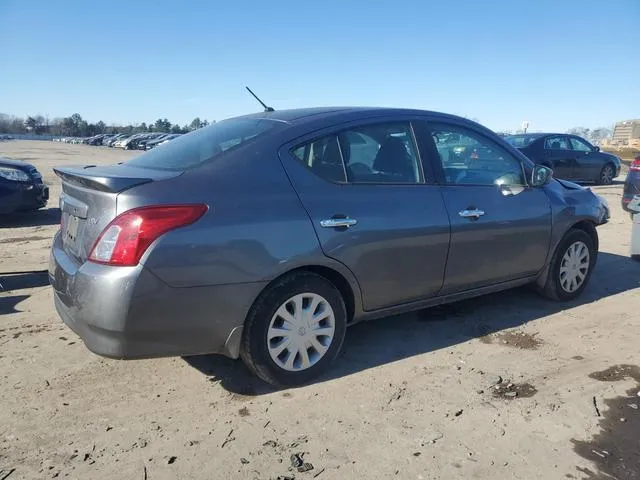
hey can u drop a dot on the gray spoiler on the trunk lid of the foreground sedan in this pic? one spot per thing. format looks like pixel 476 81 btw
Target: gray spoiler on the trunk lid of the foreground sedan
pixel 103 179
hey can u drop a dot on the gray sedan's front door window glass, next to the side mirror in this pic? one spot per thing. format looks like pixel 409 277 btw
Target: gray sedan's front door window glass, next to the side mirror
pixel 469 158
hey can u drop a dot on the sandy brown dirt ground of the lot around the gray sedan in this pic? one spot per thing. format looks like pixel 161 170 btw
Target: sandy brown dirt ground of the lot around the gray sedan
pixel 507 386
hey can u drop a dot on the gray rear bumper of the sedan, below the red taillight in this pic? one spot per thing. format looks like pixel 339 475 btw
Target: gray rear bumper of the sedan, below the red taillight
pixel 128 312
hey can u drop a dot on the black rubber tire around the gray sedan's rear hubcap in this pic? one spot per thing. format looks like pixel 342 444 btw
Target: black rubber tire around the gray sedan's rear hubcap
pixel 258 352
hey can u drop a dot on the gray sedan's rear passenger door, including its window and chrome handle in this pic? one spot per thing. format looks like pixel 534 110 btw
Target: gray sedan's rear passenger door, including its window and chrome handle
pixel 373 208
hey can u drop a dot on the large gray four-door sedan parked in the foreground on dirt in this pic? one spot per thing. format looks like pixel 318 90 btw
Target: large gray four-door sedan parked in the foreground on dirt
pixel 265 236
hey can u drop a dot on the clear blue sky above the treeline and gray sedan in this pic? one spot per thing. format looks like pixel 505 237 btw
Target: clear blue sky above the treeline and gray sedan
pixel 558 64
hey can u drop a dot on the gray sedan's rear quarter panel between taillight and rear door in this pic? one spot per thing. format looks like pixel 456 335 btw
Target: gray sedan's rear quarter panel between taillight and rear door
pixel 255 229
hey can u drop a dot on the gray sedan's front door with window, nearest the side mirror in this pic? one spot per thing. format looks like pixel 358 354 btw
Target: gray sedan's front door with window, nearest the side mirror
pixel 500 227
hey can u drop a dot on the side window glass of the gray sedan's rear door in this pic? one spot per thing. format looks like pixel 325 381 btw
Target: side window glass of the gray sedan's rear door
pixel 384 153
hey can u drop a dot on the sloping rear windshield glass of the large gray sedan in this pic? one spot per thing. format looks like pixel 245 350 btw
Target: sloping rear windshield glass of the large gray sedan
pixel 204 145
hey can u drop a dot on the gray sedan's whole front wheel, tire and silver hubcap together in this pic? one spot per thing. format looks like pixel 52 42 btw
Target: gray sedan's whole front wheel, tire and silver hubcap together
pixel 571 266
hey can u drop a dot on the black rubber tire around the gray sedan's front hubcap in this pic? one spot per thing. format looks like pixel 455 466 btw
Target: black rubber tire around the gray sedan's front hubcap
pixel 554 288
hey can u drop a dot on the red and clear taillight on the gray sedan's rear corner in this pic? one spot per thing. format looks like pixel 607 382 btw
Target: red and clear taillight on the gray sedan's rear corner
pixel 127 237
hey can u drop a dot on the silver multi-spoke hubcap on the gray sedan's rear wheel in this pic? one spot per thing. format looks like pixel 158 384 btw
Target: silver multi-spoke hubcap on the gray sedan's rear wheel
pixel 301 332
